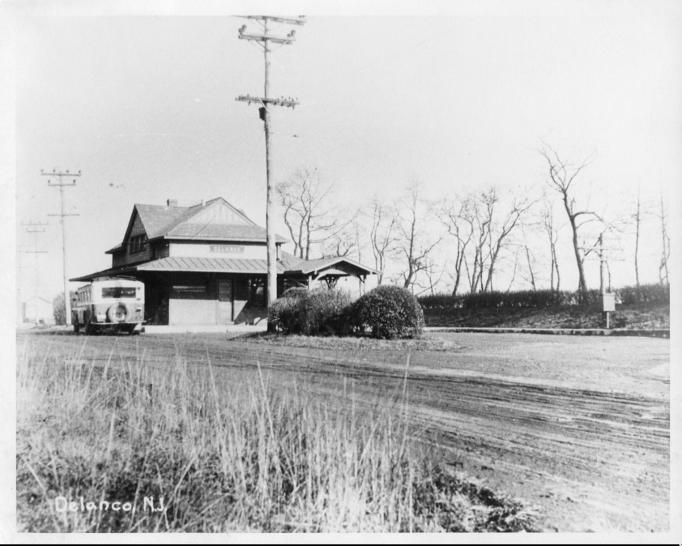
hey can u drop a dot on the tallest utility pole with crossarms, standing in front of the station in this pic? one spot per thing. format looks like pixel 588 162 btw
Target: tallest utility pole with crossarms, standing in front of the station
pixel 265 40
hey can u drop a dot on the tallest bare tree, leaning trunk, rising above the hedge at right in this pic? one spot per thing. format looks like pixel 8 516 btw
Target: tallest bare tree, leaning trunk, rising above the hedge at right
pixel 561 179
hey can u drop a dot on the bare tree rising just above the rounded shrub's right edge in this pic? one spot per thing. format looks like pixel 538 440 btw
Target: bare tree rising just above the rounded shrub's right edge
pixel 411 243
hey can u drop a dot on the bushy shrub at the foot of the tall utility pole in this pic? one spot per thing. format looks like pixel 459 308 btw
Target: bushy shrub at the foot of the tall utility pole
pixel 310 312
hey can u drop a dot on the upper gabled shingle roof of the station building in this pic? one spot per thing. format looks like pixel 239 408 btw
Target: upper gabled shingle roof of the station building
pixel 175 222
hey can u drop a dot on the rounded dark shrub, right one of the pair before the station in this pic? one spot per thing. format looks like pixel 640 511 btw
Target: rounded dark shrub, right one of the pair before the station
pixel 388 312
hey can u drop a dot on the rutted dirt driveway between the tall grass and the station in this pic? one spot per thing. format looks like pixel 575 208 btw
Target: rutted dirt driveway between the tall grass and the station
pixel 576 425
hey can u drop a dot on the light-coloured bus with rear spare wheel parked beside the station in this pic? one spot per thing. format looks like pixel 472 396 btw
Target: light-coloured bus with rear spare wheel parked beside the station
pixel 109 304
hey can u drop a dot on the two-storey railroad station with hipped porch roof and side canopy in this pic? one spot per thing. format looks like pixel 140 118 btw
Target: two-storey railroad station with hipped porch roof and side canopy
pixel 207 264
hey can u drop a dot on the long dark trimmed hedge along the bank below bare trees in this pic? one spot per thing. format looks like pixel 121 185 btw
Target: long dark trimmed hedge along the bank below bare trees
pixel 627 295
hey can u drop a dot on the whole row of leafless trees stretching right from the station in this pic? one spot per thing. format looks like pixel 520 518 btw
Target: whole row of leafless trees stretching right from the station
pixel 487 231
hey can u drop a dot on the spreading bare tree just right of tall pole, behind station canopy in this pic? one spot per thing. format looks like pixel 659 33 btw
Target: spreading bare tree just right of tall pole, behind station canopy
pixel 307 215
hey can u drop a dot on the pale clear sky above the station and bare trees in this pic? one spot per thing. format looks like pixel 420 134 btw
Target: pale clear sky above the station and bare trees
pixel 145 107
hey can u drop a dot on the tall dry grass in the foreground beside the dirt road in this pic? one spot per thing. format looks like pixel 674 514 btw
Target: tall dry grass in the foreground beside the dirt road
pixel 226 452
